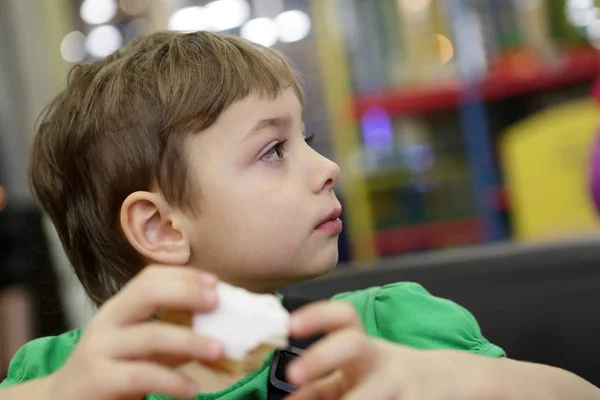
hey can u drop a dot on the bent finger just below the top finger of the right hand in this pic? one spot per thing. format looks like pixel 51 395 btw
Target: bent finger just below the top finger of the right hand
pixel 329 354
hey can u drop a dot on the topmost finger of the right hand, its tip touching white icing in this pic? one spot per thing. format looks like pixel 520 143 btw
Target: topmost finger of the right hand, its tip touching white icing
pixel 323 317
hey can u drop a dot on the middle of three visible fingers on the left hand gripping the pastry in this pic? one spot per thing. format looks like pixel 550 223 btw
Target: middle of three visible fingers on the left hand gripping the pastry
pixel 159 339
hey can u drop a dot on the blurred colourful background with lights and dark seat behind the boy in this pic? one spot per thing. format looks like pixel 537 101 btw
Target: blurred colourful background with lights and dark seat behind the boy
pixel 463 128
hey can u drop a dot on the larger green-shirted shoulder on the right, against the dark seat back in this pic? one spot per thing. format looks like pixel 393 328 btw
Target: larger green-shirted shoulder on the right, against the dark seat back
pixel 408 314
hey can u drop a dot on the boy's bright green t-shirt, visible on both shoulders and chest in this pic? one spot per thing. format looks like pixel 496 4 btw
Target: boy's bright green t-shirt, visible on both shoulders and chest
pixel 402 312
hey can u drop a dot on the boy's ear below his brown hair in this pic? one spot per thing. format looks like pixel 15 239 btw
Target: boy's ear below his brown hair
pixel 155 229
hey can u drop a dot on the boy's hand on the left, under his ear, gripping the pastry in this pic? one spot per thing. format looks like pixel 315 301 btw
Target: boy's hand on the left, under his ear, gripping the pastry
pixel 122 355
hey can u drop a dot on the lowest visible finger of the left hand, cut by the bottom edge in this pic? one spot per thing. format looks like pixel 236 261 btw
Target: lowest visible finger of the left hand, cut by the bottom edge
pixel 142 378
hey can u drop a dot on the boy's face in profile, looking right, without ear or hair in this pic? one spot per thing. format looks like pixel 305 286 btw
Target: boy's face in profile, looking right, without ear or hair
pixel 260 205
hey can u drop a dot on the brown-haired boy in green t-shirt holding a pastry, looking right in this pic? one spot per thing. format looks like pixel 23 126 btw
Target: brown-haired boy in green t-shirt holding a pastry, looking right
pixel 188 150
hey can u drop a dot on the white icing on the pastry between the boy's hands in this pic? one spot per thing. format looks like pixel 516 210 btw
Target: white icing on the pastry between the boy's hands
pixel 243 321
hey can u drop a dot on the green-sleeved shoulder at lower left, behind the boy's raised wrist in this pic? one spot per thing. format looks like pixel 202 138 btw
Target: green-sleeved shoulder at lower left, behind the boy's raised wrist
pixel 41 357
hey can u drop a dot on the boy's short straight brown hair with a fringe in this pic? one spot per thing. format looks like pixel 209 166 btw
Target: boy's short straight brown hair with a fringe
pixel 119 127
